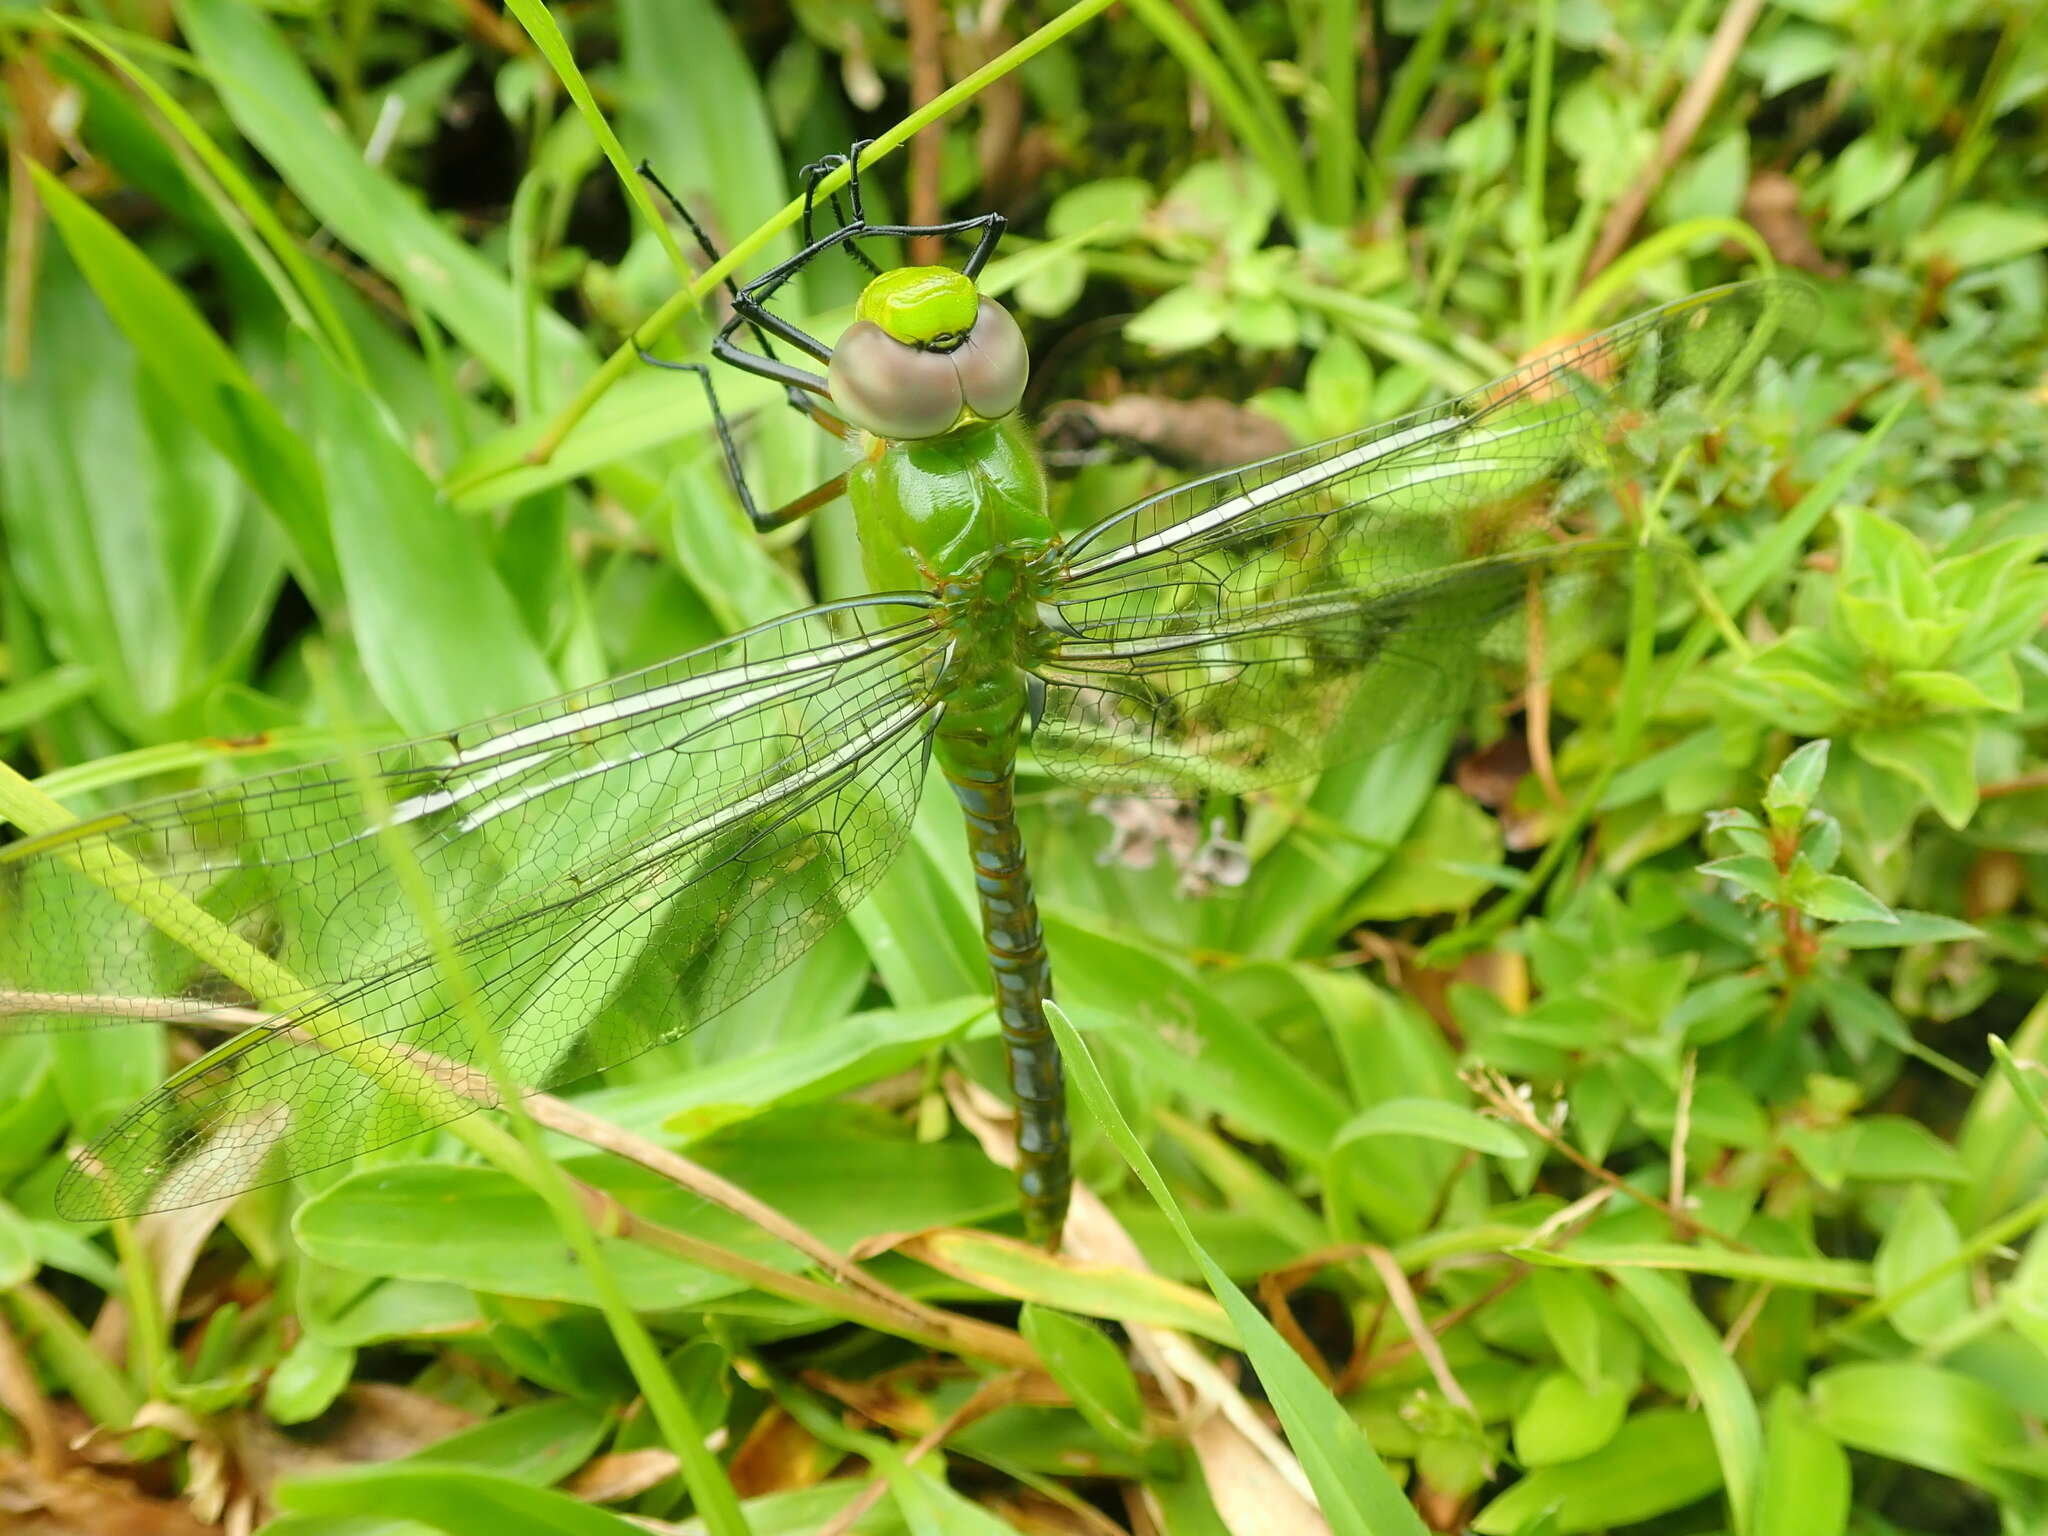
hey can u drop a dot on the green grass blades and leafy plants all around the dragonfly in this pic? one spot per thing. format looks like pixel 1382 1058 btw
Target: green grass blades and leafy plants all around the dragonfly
pixel 1611 1134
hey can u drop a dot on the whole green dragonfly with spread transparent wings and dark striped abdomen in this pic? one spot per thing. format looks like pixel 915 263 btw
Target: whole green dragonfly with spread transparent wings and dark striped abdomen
pixel 624 863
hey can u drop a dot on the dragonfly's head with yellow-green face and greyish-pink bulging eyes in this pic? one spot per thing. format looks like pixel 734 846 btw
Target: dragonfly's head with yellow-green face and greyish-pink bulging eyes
pixel 927 355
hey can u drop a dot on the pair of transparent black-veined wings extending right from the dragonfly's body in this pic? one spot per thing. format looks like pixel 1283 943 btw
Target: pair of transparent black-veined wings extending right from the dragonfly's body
pixel 1258 626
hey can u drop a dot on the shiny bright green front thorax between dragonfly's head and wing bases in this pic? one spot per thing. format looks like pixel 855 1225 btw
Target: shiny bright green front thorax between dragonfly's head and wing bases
pixel 937 511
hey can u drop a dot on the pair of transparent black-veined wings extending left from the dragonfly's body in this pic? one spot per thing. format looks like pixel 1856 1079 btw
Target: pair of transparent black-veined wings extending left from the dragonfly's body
pixel 613 867
